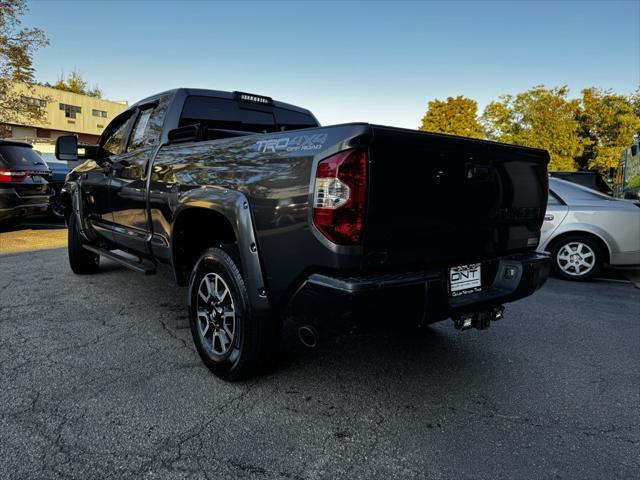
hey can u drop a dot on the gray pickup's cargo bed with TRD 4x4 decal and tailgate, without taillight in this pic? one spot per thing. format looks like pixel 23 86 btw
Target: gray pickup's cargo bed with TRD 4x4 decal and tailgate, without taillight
pixel 422 210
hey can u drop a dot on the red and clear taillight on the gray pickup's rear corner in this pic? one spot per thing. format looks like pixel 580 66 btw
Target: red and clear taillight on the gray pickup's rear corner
pixel 340 197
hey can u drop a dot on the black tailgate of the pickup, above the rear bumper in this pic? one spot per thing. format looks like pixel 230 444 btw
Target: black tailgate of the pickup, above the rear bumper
pixel 442 199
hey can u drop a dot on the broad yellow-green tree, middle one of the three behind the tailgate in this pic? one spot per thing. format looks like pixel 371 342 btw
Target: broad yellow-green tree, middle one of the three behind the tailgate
pixel 540 117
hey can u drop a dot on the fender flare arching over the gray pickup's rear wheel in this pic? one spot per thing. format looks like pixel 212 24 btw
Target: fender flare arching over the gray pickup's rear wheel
pixel 234 206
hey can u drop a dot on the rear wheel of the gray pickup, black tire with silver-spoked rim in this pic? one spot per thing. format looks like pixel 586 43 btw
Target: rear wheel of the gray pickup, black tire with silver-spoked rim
pixel 232 341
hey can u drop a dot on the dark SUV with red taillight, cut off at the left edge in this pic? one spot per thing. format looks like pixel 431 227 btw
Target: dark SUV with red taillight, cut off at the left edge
pixel 24 182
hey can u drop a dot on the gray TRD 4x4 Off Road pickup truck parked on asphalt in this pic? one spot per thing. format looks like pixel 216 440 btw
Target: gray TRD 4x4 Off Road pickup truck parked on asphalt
pixel 273 221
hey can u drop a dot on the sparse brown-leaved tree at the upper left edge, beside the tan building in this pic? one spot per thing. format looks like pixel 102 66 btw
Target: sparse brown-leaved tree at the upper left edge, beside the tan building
pixel 17 46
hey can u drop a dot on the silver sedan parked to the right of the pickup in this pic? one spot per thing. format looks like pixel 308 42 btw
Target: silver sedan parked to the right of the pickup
pixel 584 229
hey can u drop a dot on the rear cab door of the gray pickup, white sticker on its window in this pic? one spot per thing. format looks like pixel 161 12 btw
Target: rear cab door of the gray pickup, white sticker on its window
pixel 127 191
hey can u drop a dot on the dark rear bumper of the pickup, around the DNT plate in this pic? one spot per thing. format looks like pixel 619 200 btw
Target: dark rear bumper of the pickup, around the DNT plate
pixel 355 303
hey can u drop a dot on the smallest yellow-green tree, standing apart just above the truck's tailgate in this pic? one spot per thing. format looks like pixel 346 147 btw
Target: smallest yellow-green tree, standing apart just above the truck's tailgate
pixel 453 116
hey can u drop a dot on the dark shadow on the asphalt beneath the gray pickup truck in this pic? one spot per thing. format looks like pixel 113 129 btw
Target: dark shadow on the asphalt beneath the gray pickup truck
pixel 432 354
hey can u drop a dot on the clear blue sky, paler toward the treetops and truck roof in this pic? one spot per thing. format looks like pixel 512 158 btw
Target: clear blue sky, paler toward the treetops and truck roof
pixel 379 62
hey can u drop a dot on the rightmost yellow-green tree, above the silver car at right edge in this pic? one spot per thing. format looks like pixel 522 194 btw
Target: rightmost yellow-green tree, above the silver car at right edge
pixel 608 122
